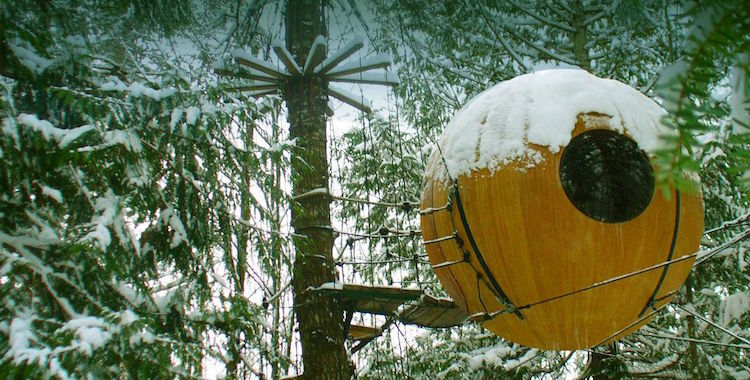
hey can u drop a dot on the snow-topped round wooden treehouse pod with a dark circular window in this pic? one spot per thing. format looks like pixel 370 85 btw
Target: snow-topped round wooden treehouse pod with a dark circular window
pixel 540 193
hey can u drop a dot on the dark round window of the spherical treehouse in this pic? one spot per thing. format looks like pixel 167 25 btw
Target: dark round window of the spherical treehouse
pixel 606 176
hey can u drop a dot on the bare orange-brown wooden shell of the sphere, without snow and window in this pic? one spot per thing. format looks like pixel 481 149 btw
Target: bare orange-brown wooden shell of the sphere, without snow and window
pixel 538 245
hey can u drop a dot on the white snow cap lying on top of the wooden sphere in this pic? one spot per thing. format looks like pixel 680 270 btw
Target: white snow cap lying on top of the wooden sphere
pixel 500 125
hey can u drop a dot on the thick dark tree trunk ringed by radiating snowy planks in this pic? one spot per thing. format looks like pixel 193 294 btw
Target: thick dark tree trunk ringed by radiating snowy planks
pixel 320 319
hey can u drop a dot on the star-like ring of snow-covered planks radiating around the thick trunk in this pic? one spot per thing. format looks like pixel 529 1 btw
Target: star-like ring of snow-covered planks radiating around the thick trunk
pixel 265 78
